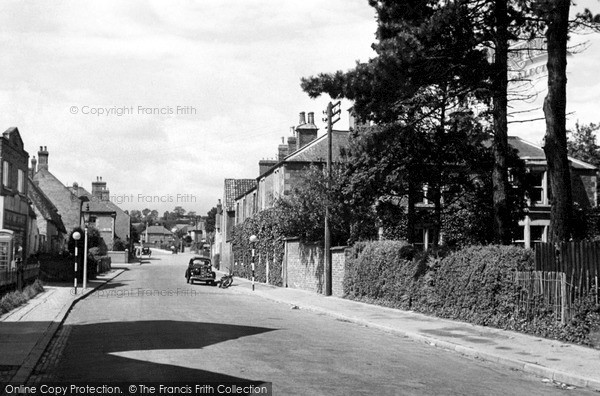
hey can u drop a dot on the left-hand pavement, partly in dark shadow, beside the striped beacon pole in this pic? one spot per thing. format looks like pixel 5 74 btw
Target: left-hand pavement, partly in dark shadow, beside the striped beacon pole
pixel 26 331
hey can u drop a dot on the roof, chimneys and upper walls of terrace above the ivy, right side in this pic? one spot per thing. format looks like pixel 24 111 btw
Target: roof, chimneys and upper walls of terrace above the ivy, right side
pixel 279 177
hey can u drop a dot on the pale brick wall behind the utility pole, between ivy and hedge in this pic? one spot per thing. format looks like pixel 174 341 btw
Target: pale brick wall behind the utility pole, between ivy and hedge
pixel 304 267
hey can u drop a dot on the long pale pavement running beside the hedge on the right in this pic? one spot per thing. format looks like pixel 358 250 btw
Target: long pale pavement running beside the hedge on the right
pixel 553 360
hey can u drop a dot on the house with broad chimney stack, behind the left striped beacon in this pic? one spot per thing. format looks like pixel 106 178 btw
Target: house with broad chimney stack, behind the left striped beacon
pixel 104 215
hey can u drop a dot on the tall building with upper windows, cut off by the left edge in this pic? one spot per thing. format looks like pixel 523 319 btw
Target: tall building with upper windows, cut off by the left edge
pixel 16 216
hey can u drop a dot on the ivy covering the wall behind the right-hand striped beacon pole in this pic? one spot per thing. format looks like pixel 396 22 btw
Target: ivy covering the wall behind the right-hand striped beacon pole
pixel 265 225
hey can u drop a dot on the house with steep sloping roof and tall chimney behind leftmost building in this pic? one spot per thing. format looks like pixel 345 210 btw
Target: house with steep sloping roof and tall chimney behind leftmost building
pixel 67 203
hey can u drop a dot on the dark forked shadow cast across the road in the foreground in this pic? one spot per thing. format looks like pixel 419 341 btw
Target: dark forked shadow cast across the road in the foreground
pixel 129 351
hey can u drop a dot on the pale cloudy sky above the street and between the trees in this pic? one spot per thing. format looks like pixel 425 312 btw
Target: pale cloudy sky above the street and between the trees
pixel 164 100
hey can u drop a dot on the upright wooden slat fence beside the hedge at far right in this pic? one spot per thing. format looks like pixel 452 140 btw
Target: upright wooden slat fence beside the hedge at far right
pixel 564 273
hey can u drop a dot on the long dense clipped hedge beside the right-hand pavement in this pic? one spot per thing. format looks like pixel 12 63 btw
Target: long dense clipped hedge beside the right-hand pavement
pixel 475 285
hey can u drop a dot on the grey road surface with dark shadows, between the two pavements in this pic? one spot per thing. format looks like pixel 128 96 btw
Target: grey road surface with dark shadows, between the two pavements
pixel 149 325
